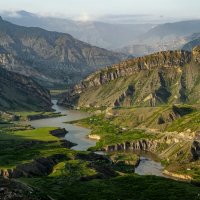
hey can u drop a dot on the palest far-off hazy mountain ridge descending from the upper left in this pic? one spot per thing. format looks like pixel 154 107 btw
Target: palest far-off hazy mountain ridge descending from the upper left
pixel 105 35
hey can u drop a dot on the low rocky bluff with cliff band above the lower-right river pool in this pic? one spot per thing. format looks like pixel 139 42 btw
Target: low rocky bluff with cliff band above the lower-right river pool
pixel 169 147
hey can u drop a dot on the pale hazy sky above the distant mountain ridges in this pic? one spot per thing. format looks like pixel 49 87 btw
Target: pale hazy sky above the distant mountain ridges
pixel 110 9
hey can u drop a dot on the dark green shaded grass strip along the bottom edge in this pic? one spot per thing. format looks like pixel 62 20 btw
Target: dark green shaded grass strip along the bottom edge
pixel 125 187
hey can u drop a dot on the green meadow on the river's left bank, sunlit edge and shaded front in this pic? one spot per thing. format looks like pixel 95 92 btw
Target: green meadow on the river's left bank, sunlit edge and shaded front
pixel 19 147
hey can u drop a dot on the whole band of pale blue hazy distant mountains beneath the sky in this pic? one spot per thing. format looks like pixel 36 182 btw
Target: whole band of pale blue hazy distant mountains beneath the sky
pixel 132 38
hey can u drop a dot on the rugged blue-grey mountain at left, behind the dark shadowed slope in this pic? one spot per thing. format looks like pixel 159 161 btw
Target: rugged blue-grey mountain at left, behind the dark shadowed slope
pixel 51 58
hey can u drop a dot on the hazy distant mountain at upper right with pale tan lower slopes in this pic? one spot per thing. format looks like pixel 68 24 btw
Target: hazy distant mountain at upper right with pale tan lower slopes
pixel 163 37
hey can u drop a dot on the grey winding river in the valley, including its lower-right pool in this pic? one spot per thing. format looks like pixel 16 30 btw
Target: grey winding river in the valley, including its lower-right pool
pixel 148 165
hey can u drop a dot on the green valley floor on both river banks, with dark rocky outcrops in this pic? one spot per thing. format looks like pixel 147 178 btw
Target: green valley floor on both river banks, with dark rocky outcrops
pixel 41 161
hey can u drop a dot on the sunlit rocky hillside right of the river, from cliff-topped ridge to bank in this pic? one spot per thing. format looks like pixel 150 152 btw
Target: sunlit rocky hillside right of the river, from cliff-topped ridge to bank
pixel 149 104
